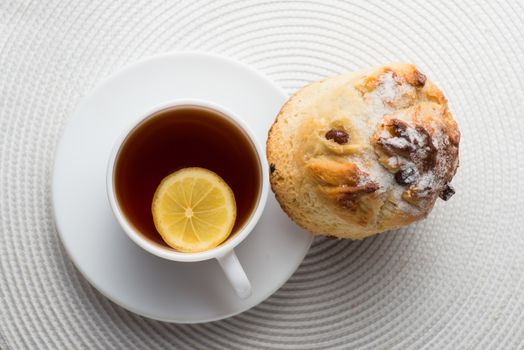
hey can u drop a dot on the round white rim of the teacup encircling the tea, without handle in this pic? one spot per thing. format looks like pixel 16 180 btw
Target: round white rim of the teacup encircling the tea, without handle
pixel 164 251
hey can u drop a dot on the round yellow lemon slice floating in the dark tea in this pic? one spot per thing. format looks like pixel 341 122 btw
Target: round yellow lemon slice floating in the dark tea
pixel 194 210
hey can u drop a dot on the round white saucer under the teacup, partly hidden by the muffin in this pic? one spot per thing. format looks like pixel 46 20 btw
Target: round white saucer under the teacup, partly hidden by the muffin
pixel 117 267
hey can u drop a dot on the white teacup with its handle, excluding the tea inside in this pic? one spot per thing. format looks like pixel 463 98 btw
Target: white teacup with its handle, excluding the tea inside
pixel 224 253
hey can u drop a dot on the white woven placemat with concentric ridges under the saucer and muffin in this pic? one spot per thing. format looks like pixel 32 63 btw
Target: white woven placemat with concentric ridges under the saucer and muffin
pixel 453 281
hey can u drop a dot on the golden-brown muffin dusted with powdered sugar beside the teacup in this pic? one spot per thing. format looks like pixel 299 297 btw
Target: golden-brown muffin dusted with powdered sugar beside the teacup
pixel 364 152
